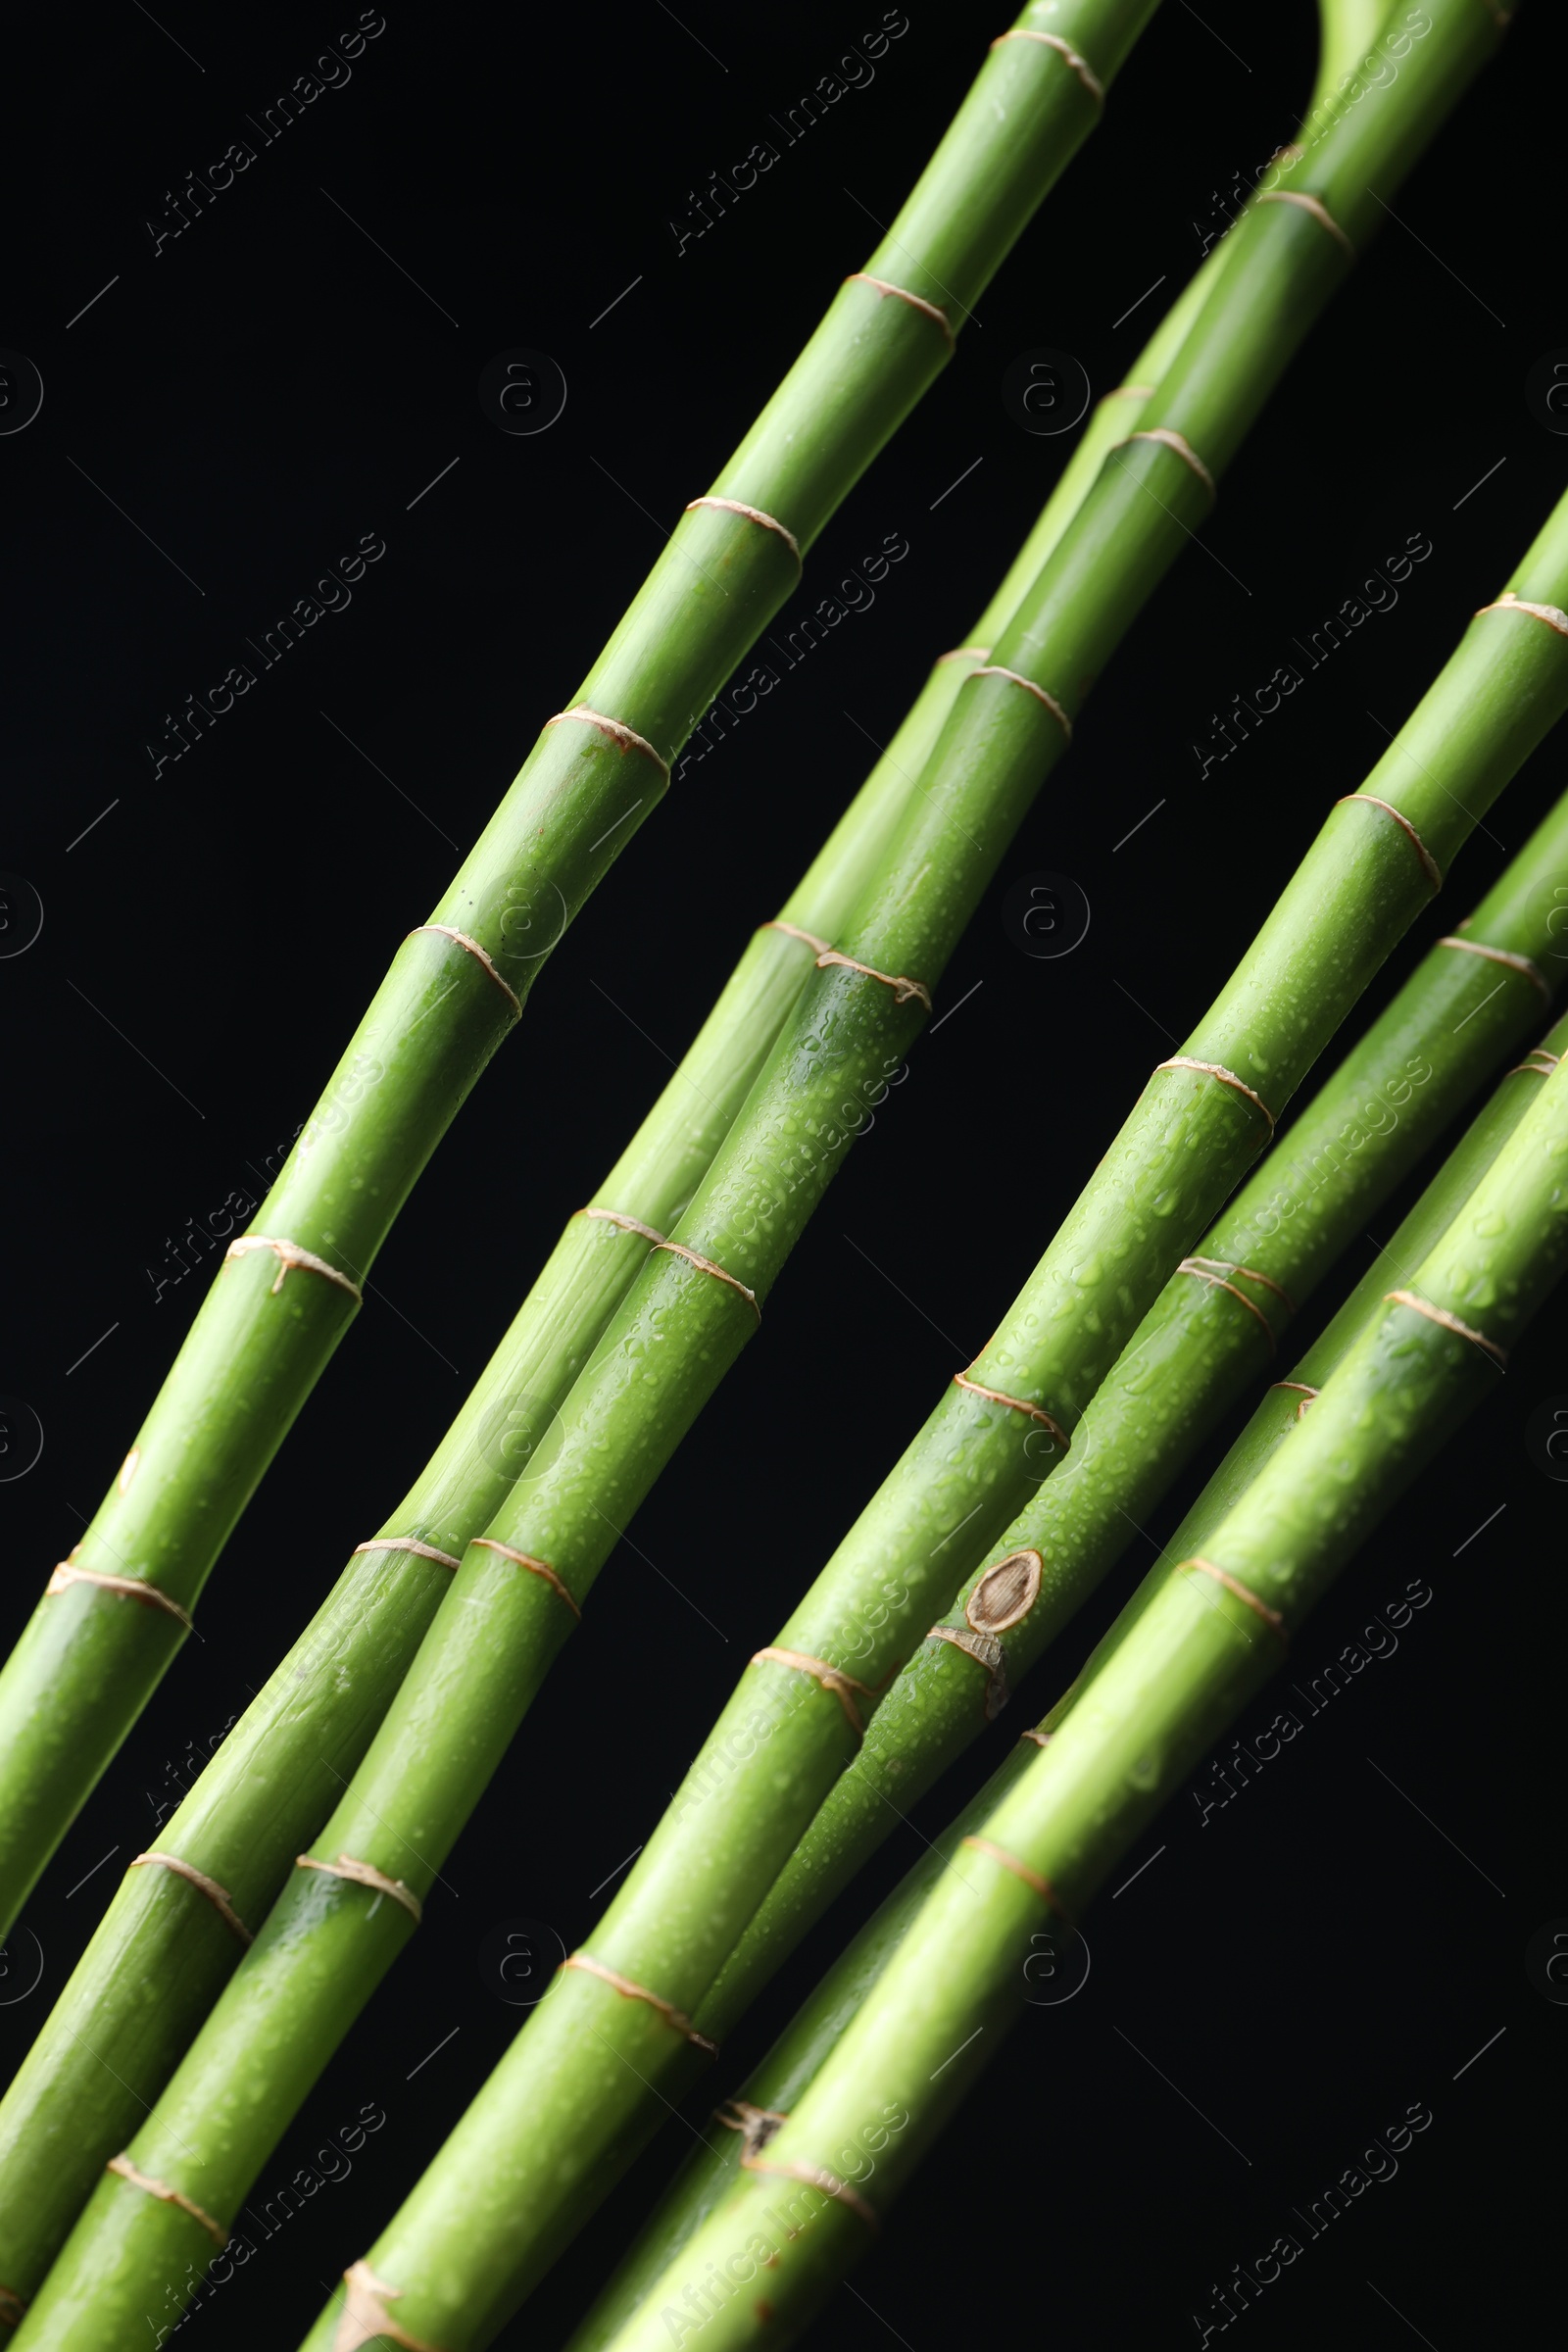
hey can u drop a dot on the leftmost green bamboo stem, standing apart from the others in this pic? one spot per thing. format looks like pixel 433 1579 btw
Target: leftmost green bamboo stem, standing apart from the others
pixel 93 1655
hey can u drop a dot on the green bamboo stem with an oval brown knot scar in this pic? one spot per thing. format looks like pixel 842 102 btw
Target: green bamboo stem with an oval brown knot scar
pixel 1193 1356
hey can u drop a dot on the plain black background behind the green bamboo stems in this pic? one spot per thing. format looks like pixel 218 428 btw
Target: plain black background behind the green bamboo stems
pixel 269 389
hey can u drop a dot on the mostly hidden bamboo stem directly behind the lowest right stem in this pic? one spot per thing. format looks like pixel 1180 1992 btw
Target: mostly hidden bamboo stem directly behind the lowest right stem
pixel 784 2076
